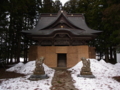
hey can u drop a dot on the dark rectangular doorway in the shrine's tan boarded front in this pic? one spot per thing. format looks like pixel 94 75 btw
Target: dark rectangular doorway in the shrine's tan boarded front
pixel 61 60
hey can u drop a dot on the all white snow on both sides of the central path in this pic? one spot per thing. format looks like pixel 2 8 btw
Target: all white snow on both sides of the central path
pixel 101 70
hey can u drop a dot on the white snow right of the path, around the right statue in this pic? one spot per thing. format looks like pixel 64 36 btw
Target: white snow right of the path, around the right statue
pixel 102 71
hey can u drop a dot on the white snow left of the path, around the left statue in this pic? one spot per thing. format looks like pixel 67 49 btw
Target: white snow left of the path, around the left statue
pixel 22 83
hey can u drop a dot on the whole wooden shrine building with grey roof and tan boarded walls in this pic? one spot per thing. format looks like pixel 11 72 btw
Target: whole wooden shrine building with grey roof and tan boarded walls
pixel 61 38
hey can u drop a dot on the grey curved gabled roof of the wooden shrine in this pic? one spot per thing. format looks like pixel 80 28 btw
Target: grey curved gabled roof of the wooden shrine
pixel 50 23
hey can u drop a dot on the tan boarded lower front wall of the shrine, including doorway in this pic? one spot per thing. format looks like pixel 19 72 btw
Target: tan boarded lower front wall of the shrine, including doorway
pixel 61 56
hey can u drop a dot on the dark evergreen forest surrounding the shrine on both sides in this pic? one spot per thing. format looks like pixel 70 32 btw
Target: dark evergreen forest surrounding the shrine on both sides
pixel 18 15
